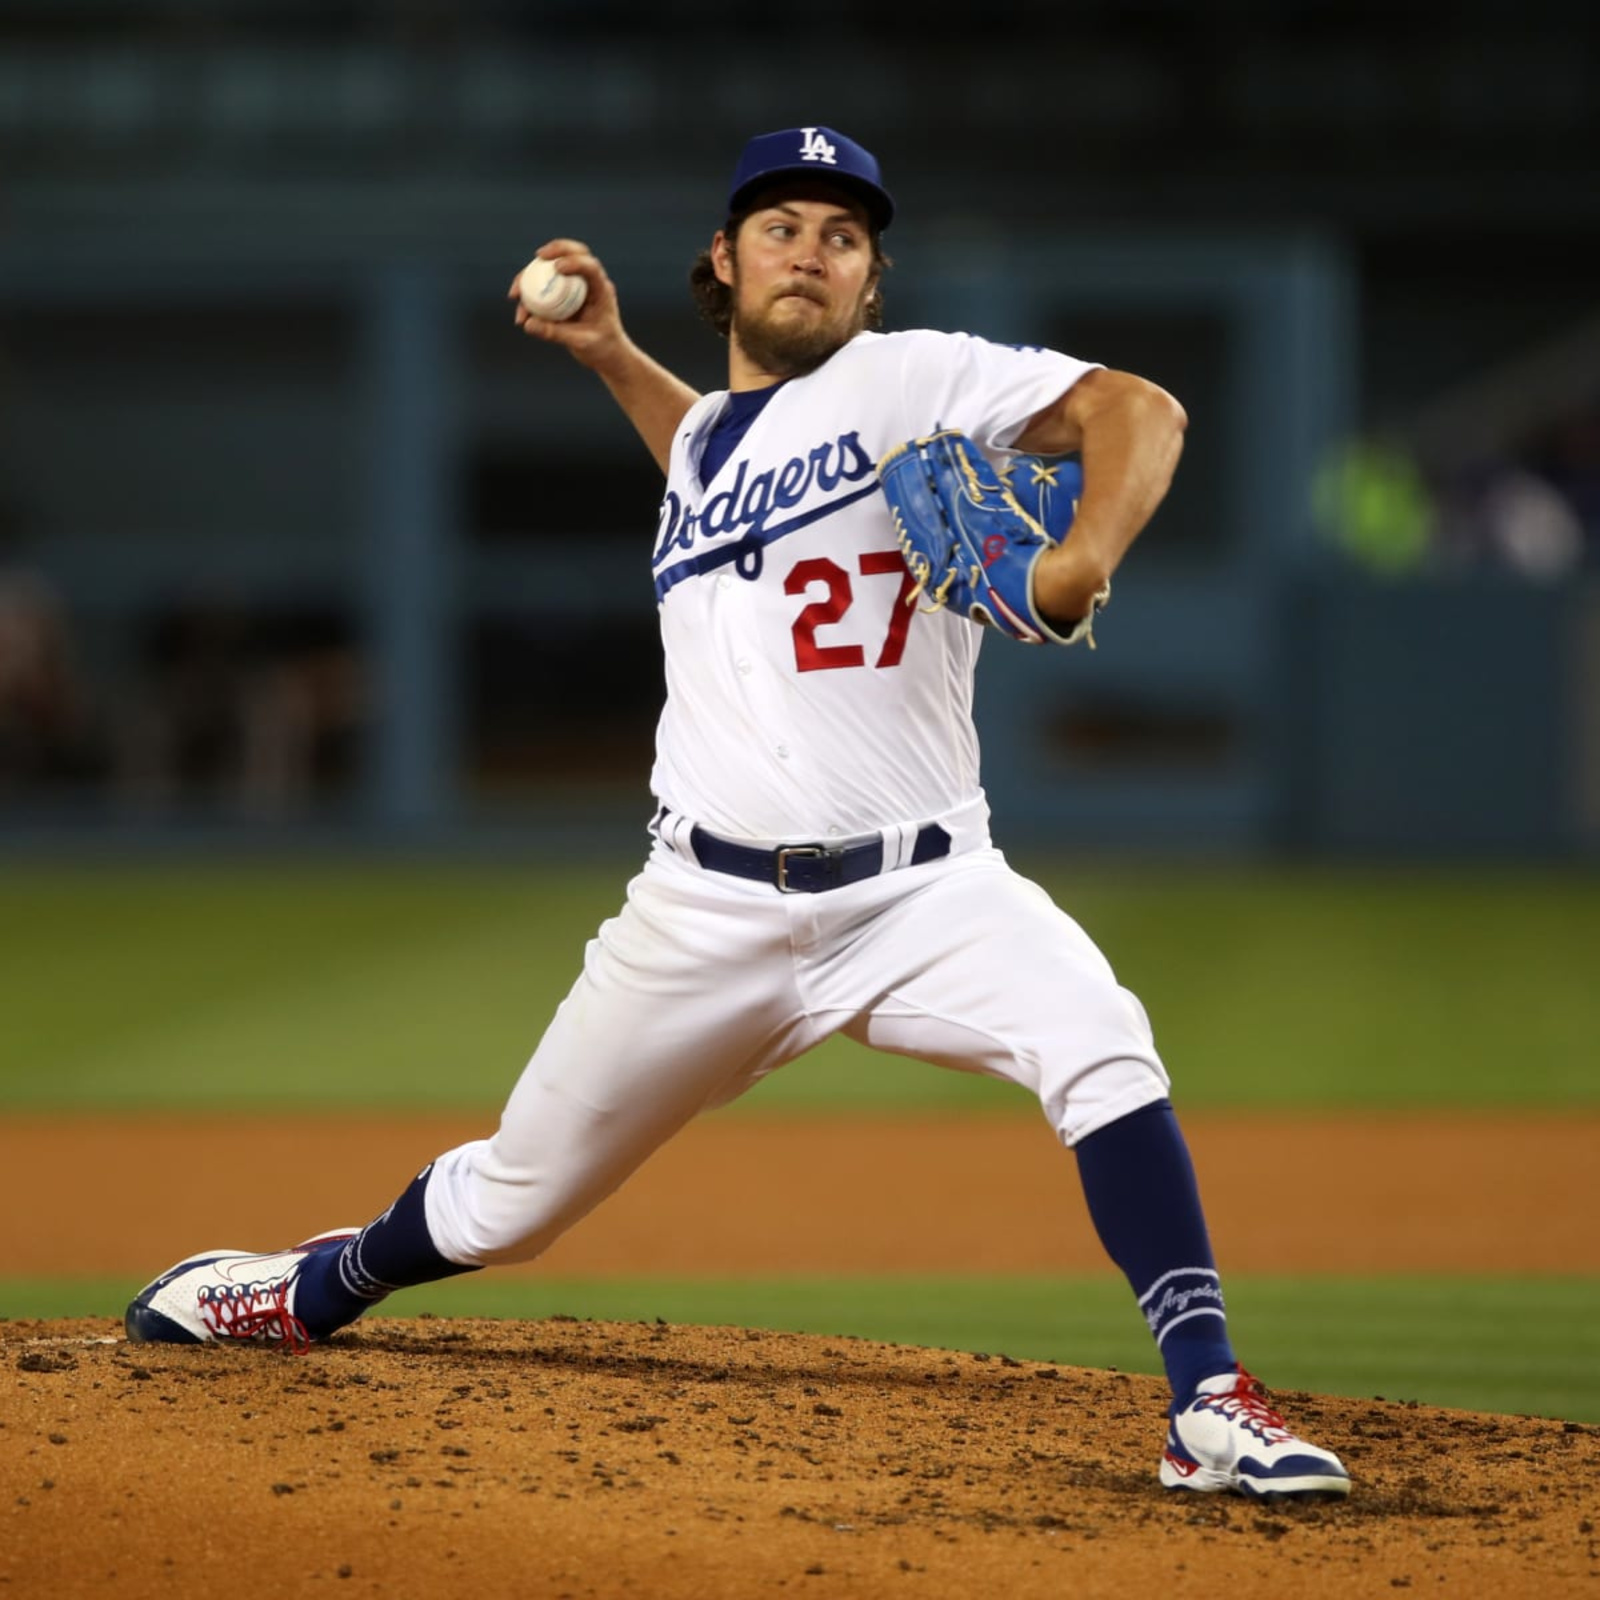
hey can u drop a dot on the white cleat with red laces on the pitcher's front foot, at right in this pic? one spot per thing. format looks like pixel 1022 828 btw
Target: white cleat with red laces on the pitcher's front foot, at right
pixel 1228 1438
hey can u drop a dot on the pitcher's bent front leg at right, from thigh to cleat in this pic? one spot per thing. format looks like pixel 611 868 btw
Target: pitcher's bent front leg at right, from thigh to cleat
pixel 982 972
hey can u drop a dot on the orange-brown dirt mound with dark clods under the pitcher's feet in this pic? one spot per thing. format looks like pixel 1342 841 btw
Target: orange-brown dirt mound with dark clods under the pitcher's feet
pixel 594 1460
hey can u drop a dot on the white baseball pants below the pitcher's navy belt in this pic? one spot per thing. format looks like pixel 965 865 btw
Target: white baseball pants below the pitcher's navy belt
pixel 706 983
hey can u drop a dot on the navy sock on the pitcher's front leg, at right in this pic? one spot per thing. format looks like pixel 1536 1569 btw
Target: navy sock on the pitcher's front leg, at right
pixel 1145 1202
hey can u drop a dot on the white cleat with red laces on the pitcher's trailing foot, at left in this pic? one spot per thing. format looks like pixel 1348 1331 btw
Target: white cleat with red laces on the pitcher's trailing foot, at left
pixel 228 1295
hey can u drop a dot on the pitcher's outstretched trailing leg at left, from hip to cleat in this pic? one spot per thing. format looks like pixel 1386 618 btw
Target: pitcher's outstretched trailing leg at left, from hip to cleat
pixel 686 998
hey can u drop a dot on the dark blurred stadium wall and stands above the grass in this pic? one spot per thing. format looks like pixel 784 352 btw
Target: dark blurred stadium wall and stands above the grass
pixel 298 535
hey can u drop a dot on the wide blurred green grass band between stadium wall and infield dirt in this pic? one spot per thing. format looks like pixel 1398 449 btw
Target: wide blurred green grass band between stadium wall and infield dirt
pixel 426 986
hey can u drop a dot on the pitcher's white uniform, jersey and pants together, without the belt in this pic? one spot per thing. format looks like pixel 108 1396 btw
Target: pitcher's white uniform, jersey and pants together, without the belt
pixel 807 702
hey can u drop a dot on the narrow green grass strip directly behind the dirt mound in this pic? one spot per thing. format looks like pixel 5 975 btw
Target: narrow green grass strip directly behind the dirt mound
pixel 1506 1346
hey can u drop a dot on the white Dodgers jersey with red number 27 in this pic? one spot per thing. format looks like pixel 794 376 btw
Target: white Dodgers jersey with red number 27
pixel 806 700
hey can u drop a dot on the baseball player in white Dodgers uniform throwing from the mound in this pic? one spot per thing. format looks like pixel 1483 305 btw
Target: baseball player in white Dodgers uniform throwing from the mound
pixel 834 532
